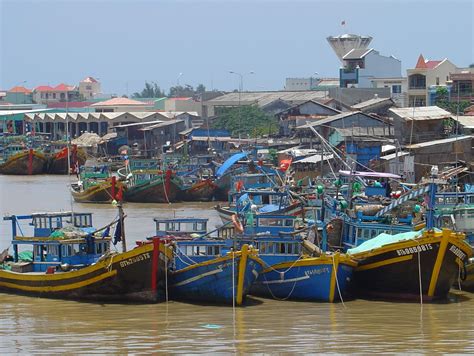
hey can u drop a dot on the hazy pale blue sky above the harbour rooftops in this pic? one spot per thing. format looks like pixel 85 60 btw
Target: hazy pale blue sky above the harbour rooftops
pixel 120 42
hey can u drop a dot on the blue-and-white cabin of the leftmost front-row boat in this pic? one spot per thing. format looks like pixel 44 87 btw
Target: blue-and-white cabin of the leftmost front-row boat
pixel 58 239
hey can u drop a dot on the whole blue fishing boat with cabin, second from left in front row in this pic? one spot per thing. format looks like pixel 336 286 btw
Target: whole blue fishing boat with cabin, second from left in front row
pixel 205 269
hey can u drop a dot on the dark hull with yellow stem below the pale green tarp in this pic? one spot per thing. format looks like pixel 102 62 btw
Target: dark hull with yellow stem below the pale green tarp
pixel 394 271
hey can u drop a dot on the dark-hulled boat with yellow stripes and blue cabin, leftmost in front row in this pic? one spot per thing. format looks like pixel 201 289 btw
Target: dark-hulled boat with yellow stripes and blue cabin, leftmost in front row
pixel 72 260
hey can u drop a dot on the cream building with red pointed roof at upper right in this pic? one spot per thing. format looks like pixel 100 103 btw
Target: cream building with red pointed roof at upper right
pixel 427 74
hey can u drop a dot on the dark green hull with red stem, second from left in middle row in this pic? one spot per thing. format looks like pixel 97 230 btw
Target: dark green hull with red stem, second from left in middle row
pixel 153 192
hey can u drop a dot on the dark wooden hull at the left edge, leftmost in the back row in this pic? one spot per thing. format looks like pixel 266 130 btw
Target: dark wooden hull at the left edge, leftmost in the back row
pixel 24 163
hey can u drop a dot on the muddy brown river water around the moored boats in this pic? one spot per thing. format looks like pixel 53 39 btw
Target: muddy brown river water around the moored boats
pixel 32 325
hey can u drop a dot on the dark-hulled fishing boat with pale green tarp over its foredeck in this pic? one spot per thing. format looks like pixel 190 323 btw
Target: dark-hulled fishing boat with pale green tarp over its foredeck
pixel 402 257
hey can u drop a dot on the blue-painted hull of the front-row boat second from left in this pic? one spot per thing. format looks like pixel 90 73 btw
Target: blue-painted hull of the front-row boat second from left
pixel 213 281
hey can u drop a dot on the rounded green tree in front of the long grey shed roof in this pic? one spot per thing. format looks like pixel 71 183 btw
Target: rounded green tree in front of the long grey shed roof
pixel 246 121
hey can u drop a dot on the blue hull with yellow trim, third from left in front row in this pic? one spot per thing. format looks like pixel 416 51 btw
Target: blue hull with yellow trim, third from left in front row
pixel 308 279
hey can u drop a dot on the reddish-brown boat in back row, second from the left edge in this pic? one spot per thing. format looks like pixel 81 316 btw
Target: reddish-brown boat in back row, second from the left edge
pixel 58 162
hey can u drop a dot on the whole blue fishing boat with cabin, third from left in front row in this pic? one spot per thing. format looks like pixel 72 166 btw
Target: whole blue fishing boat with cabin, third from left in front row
pixel 295 268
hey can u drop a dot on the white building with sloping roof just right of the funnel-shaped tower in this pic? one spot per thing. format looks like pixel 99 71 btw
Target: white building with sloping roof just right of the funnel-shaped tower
pixel 361 66
